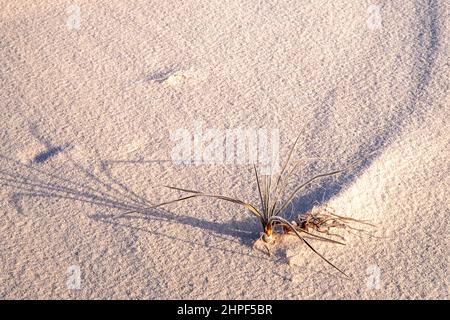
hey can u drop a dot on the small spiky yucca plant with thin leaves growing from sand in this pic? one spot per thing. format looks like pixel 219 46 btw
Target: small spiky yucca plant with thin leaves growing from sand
pixel 273 203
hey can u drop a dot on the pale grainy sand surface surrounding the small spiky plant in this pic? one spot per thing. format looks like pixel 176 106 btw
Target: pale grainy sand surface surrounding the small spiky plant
pixel 90 99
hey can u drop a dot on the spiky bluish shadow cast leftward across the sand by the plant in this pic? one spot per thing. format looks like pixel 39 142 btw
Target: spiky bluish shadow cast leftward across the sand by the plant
pixel 28 180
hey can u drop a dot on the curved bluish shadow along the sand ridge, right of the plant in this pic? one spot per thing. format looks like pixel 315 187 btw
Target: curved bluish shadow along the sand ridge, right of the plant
pixel 427 48
